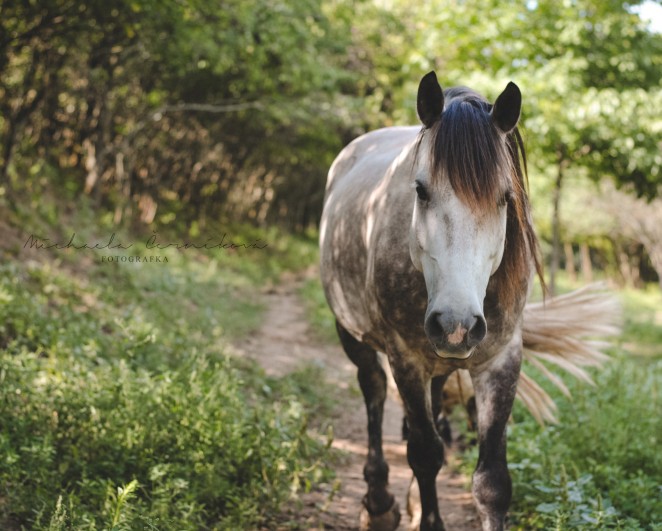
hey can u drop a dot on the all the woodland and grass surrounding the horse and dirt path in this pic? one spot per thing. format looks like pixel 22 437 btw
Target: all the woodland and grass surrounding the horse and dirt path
pixel 121 404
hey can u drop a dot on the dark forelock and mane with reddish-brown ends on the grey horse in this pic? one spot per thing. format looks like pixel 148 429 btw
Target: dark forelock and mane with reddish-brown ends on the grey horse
pixel 467 149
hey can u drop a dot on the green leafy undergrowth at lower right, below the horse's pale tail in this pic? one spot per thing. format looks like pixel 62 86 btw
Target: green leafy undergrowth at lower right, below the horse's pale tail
pixel 600 468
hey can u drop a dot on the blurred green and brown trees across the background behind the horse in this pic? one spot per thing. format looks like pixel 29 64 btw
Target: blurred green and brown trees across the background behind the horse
pixel 180 111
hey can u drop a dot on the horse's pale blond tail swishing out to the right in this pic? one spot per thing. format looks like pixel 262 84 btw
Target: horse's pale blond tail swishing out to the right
pixel 564 331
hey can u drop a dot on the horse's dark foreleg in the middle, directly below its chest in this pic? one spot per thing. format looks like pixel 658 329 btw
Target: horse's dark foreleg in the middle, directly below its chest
pixel 425 450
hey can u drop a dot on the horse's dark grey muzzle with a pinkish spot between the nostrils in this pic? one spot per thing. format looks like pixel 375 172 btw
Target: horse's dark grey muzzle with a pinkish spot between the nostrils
pixel 452 337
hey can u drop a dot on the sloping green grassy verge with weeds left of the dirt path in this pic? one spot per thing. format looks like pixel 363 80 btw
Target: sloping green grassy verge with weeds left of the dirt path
pixel 120 406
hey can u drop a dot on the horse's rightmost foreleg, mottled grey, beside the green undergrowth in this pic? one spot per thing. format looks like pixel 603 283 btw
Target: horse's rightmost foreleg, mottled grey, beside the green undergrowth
pixel 494 389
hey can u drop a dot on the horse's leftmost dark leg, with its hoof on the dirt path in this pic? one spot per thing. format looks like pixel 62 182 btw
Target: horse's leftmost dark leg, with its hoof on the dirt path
pixel 380 509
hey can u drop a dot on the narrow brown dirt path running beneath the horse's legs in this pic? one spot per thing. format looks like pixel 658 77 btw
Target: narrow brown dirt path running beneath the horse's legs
pixel 283 344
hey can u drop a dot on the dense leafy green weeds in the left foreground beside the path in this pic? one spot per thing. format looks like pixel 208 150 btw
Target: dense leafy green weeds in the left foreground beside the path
pixel 204 450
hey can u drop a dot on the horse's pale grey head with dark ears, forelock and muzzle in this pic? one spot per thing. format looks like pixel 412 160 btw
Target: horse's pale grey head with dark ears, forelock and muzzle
pixel 465 182
